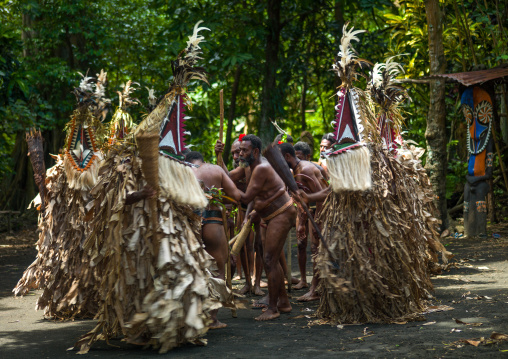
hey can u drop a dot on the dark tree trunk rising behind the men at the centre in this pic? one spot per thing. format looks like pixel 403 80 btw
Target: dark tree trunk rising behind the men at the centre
pixel 268 102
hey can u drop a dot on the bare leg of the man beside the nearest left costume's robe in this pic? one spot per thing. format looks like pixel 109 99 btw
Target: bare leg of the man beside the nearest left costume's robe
pixel 215 243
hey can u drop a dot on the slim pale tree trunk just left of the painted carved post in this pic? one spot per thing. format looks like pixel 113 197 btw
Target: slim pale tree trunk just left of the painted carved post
pixel 436 120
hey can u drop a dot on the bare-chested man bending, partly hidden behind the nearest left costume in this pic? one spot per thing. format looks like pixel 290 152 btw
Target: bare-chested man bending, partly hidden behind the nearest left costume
pixel 213 234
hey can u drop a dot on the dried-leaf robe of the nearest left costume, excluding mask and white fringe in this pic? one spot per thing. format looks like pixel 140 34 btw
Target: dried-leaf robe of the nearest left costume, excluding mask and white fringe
pixel 163 300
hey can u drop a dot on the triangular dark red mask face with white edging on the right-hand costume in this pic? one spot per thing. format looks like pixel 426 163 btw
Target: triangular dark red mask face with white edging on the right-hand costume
pixel 347 122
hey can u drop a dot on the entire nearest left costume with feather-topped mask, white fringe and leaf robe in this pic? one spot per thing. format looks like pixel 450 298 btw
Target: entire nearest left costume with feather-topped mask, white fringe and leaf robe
pixel 156 286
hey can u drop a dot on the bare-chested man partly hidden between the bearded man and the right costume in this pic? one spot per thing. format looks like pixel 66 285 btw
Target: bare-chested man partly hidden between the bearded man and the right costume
pixel 309 178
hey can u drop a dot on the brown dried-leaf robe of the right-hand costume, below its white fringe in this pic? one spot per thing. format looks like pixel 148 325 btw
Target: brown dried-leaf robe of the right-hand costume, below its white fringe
pixel 386 244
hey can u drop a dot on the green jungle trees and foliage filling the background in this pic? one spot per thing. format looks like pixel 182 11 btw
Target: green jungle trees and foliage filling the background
pixel 271 57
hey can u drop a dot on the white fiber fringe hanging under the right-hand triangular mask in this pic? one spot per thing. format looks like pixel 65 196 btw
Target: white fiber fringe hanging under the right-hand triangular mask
pixel 350 171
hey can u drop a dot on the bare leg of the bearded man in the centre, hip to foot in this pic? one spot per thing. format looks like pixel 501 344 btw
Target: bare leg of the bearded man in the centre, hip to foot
pixel 276 233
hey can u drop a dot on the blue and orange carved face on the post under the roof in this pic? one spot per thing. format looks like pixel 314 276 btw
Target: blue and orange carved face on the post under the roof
pixel 478 113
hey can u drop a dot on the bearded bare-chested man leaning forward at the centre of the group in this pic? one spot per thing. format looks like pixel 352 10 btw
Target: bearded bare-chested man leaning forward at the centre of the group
pixel 279 215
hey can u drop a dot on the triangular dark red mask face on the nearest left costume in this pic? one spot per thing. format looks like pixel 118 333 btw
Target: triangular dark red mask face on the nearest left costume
pixel 172 131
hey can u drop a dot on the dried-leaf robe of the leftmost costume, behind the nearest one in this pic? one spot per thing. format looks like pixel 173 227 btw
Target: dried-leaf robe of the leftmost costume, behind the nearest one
pixel 62 269
